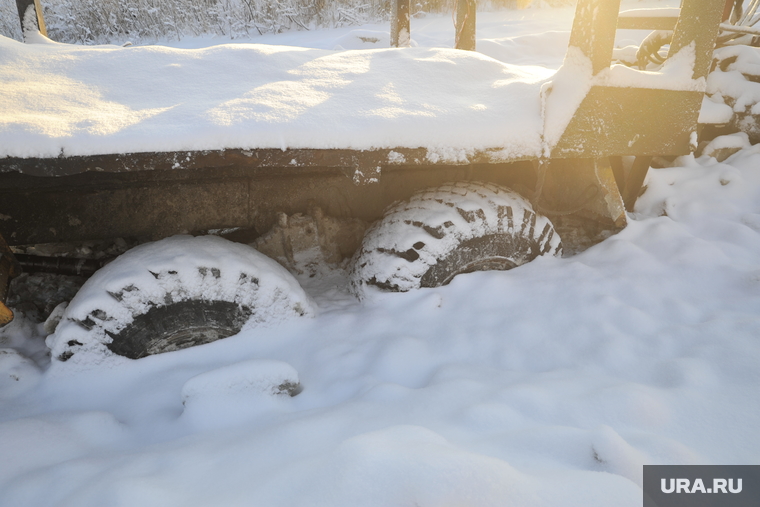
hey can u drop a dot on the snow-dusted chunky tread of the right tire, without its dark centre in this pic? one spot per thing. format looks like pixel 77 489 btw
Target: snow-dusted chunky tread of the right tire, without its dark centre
pixel 434 222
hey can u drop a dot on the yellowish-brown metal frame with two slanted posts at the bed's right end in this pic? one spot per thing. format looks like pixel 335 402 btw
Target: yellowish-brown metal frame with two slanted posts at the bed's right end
pixel 643 122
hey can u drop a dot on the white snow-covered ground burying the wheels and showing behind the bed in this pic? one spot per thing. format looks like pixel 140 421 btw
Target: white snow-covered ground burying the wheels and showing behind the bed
pixel 547 385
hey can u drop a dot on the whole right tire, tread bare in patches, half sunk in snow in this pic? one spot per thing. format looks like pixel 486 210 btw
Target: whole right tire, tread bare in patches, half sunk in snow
pixel 449 230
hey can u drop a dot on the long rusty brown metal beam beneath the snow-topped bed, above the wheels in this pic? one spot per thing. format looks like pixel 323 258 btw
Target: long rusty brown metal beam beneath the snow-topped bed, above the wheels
pixel 160 203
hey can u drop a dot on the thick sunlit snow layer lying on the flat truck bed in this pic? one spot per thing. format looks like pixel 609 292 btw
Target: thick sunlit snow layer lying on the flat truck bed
pixel 80 100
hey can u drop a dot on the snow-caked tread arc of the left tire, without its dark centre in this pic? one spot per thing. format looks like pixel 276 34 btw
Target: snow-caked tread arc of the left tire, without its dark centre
pixel 174 269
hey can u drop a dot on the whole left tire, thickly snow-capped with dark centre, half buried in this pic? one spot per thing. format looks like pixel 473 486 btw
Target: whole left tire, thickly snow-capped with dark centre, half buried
pixel 173 294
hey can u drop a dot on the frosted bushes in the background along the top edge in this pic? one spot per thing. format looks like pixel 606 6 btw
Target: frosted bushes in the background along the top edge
pixel 117 21
